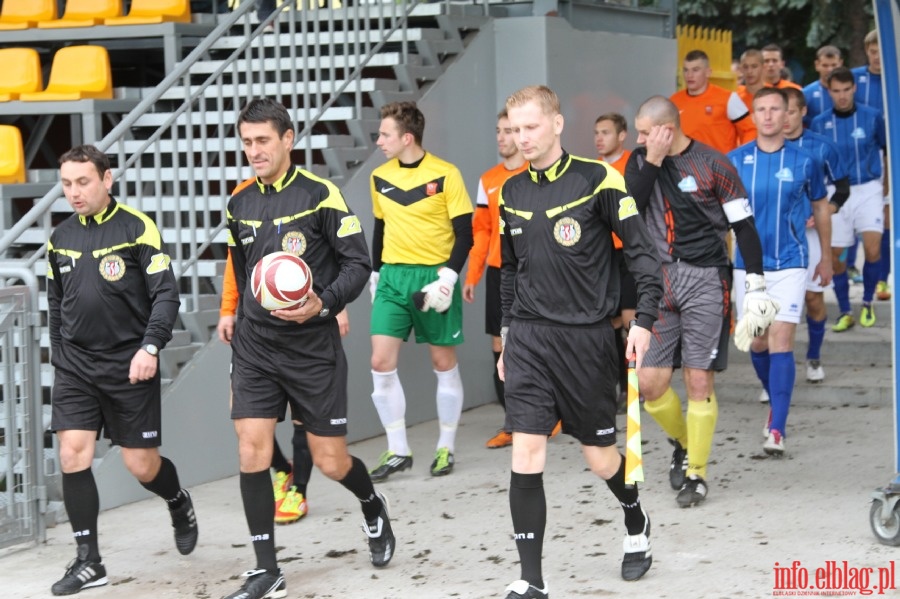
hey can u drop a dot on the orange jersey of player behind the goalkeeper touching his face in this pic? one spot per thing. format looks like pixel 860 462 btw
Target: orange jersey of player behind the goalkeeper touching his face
pixel 717 117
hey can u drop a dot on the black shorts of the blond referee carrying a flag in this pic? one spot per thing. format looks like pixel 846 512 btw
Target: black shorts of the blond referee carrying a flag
pixel 561 373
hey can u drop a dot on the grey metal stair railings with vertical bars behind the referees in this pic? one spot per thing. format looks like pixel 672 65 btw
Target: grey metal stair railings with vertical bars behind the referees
pixel 182 173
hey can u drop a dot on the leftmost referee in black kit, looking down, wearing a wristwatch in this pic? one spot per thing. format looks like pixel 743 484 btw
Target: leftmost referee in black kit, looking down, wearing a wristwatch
pixel 112 302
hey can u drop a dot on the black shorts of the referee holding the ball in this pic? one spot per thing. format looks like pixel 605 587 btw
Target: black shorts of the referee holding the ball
pixel 304 367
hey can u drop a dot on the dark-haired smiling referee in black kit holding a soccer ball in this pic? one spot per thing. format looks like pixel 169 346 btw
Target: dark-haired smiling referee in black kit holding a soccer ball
pixel 293 357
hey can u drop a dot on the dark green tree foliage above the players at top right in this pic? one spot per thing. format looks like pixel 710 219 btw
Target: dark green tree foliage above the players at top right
pixel 800 27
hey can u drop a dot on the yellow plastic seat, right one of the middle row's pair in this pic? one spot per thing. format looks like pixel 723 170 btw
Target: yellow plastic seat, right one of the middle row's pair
pixel 78 72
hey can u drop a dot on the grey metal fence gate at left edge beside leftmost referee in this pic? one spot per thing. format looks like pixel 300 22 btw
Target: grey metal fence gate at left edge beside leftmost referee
pixel 22 492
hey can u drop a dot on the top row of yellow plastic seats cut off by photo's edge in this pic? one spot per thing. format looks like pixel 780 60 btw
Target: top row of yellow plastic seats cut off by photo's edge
pixel 42 14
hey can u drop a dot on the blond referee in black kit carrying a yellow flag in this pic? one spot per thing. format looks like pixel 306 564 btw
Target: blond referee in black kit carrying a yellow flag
pixel 559 291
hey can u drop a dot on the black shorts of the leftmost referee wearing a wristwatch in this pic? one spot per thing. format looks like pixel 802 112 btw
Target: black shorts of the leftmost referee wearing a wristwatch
pixel 129 415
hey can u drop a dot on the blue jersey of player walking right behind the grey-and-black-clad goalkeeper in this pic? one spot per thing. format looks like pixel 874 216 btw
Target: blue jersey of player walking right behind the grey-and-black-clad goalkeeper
pixel 780 186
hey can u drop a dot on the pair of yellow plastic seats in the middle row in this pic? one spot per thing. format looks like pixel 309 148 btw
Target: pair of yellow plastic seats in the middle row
pixel 77 73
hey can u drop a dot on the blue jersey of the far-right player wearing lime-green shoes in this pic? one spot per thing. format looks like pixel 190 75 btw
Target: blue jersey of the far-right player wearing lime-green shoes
pixel 859 136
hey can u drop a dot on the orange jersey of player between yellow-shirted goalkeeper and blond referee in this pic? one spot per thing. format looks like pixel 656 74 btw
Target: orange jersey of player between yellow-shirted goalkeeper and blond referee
pixel 486 222
